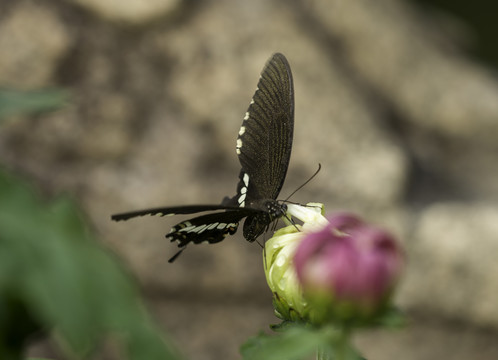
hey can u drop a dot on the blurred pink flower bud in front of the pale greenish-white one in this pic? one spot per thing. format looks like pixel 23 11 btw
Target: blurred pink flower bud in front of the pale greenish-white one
pixel 347 269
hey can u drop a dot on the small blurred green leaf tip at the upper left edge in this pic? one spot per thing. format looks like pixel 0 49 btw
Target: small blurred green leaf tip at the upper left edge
pixel 13 102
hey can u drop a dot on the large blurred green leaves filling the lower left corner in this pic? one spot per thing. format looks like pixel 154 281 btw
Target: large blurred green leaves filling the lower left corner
pixel 52 266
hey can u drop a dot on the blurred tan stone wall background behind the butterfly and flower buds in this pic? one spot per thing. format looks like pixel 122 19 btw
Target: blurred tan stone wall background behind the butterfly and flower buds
pixel 397 99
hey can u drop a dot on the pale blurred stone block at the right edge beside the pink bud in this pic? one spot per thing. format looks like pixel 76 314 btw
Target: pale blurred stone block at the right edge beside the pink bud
pixel 452 268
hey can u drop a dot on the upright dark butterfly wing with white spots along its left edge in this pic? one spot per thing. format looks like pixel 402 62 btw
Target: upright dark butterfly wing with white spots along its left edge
pixel 265 138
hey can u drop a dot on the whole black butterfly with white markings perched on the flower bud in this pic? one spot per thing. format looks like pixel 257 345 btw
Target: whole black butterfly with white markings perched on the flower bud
pixel 263 146
